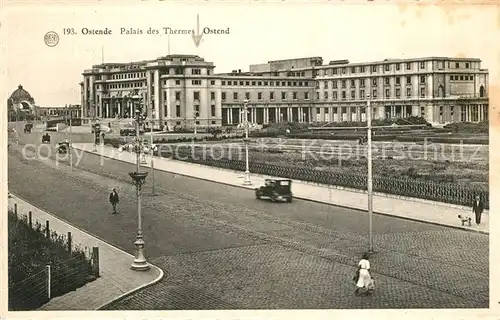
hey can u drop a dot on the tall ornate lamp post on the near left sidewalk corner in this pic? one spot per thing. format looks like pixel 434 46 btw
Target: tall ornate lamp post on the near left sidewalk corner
pixel 139 179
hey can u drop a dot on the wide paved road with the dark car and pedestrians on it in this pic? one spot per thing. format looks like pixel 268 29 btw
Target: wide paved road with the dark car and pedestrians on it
pixel 222 249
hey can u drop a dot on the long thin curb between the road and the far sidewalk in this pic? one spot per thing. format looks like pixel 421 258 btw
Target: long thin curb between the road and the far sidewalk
pixel 311 200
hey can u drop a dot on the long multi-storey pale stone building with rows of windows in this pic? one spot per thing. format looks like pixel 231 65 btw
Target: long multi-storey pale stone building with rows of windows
pixel 180 90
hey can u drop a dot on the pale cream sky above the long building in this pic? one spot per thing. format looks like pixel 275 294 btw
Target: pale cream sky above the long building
pixel 258 33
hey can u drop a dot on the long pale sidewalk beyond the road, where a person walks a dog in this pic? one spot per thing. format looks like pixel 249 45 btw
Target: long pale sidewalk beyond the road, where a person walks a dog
pixel 404 207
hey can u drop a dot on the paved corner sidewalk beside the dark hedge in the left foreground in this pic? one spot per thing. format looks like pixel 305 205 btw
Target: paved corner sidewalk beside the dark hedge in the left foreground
pixel 116 278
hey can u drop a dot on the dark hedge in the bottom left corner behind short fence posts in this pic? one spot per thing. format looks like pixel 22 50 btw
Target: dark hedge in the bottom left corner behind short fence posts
pixel 29 252
